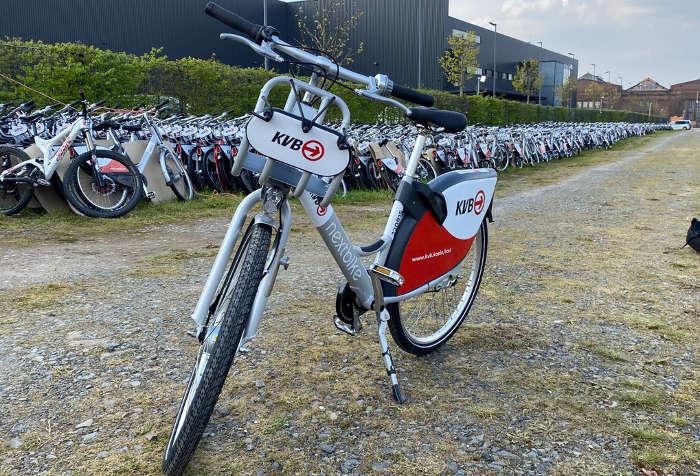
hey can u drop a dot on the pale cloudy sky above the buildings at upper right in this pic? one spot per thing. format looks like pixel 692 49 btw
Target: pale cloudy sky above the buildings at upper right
pixel 631 38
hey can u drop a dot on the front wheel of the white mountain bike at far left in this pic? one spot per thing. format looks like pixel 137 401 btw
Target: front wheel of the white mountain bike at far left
pixel 102 184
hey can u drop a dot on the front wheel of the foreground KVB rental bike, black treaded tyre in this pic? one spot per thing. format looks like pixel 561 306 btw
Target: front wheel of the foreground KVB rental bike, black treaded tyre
pixel 227 321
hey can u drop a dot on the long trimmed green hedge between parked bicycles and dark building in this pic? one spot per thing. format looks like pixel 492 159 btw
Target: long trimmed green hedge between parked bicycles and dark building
pixel 208 86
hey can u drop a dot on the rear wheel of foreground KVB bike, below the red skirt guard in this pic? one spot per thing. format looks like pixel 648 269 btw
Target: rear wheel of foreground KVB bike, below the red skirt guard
pixel 422 324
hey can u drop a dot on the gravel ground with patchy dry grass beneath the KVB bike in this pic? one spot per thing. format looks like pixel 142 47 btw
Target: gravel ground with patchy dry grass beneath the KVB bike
pixel 579 357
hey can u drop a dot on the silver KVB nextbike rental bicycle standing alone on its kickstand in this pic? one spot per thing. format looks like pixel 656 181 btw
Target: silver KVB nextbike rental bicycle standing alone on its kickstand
pixel 428 261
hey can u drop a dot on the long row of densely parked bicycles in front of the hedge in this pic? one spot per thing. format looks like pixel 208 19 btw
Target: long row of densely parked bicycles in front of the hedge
pixel 196 153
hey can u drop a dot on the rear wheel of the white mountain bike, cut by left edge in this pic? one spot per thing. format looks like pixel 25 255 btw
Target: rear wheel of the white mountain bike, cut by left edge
pixel 15 196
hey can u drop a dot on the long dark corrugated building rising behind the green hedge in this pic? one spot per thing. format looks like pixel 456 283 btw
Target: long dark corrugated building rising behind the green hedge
pixel 402 38
